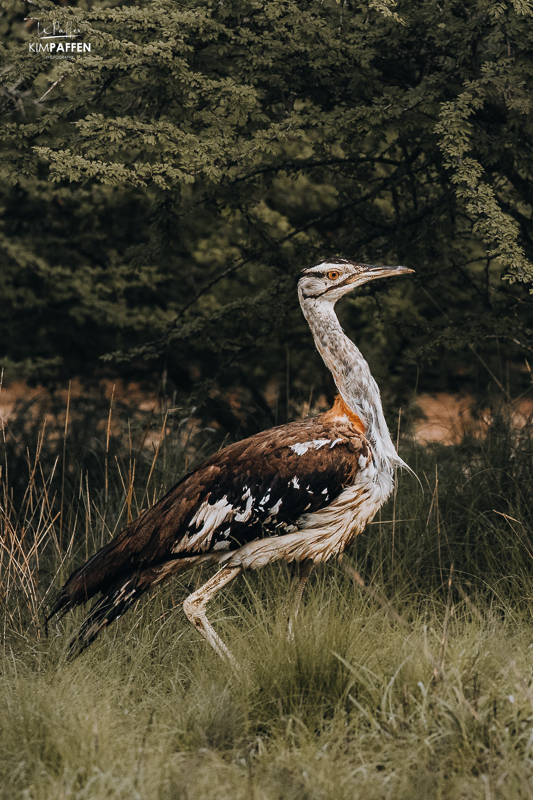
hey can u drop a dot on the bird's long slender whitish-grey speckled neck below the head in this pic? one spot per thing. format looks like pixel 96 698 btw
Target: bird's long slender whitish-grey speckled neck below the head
pixel 351 373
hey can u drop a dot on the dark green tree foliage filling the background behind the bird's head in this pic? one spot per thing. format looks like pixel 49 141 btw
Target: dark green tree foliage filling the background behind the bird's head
pixel 161 192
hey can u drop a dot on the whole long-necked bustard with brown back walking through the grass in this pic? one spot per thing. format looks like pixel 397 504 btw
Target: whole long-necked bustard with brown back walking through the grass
pixel 299 493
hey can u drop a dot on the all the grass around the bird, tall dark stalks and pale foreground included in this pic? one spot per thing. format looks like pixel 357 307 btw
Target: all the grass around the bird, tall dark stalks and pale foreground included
pixel 409 676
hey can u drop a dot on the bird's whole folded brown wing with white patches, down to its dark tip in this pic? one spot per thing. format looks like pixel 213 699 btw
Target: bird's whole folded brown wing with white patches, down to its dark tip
pixel 257 487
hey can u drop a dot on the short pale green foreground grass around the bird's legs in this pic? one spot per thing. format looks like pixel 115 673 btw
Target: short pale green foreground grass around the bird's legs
pixel 361 704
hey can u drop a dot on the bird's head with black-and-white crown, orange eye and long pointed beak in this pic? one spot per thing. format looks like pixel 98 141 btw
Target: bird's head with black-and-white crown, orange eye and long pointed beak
pixel 332 279
